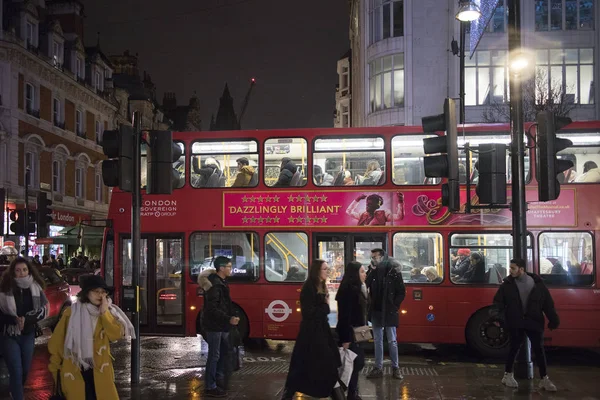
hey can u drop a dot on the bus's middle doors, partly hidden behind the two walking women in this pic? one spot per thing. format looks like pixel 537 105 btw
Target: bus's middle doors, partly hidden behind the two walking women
pixel 338 250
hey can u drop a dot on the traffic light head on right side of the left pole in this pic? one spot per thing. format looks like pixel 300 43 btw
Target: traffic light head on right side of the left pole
pixel 162 153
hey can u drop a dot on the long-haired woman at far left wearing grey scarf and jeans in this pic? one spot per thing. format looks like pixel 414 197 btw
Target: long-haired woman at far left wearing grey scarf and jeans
pixel 22 304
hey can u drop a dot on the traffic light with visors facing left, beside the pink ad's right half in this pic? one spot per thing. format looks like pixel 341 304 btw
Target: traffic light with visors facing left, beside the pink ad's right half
pixel 445 164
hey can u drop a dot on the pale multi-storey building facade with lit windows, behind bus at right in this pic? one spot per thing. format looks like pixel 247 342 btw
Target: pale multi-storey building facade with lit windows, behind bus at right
pixel 402 65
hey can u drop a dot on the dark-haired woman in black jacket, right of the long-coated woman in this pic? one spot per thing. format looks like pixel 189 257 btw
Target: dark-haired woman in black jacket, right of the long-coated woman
pixel 352 312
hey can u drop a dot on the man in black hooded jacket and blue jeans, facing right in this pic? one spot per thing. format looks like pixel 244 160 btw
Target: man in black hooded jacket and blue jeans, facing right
pixel 216 320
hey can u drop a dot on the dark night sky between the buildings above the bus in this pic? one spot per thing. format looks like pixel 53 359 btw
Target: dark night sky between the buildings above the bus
pixel 291 47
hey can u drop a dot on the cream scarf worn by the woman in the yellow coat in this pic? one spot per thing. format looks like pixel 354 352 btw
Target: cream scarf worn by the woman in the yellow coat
pixel 79 341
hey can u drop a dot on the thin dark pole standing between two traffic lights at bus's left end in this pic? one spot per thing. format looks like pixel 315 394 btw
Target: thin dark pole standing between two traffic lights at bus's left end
pixel 135 248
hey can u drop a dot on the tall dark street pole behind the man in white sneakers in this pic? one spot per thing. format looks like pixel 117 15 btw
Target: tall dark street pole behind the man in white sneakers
pixel 523 365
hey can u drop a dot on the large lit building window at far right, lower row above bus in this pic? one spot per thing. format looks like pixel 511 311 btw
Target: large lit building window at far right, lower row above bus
pixel 565 75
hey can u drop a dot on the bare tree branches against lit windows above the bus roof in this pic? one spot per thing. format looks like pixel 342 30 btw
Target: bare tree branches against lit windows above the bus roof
pixel 538 95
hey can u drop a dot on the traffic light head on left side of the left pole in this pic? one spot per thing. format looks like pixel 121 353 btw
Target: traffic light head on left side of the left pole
pixel 118 147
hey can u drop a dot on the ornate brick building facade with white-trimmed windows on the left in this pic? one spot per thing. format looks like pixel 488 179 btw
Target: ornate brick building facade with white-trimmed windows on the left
pixel 56 100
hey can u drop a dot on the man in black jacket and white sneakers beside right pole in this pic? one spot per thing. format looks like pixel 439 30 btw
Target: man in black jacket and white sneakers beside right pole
pixel 523 299
